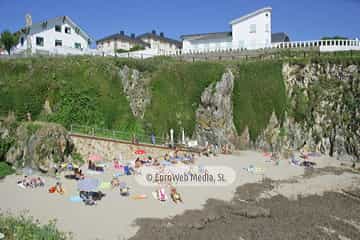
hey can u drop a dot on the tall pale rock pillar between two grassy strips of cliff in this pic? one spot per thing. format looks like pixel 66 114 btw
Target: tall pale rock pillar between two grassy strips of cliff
pixel 214 117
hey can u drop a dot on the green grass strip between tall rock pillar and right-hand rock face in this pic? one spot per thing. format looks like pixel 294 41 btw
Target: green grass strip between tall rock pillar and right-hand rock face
pixel 259 90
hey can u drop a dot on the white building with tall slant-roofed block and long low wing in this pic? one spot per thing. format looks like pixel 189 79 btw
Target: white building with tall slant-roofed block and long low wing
pixel 252 31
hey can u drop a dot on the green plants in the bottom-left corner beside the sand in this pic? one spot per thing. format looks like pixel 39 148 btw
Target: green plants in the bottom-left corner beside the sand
pixel 24 227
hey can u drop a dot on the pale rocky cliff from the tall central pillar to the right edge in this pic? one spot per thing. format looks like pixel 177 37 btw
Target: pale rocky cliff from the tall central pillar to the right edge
pixel 322 114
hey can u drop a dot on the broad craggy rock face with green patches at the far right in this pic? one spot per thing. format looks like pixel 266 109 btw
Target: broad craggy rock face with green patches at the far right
pixel 325 105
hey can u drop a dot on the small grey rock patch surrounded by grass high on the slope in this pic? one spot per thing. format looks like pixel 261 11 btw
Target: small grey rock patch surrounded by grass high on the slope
pixel 136 90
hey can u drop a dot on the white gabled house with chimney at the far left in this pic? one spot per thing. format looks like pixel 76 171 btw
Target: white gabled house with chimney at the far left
pixel 59 35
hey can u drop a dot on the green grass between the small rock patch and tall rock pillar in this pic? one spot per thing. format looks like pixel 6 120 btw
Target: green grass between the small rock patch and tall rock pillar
pixel 176 90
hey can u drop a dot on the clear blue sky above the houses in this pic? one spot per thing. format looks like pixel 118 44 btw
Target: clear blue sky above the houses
pixel 301 20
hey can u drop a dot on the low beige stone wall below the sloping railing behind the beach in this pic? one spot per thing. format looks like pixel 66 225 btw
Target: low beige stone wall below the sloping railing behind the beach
pixel 110 149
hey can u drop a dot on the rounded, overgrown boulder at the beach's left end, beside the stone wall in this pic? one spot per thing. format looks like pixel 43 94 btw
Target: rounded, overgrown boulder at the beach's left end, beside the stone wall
pixel 40 145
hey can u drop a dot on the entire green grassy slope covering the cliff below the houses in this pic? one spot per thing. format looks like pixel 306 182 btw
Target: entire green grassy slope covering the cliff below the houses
pixel 87 90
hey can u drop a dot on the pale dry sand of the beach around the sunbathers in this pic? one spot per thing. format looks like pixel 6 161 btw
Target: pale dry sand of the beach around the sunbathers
pixel 114 216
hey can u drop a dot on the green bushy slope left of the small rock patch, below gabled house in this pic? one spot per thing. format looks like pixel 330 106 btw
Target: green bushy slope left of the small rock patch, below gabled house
pixel 81 90
